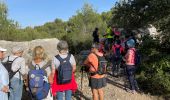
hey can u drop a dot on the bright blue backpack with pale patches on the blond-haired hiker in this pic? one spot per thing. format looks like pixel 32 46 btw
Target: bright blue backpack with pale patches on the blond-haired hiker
pixel 38 87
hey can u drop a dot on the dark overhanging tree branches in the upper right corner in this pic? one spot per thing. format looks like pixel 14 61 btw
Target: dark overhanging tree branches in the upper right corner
pixel 139 13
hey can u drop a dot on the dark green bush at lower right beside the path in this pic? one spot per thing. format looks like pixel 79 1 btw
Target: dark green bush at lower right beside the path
pixel 154 71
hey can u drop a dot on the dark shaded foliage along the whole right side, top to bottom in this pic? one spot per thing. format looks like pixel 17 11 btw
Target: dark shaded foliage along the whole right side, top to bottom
pixel 154 74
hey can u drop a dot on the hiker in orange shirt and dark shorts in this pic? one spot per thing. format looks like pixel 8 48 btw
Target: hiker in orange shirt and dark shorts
pixel 96 81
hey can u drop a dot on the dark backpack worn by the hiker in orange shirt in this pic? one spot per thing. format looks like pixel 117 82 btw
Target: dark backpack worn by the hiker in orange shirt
pixel 102 66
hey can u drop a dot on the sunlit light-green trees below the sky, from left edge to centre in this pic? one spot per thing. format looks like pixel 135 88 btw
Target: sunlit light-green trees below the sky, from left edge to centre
pixel 77 30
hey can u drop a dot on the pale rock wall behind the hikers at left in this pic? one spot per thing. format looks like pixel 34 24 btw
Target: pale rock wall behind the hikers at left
pixel 50 46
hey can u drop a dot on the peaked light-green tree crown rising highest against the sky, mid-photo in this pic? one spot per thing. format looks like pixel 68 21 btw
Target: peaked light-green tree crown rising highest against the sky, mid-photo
pixel 86 20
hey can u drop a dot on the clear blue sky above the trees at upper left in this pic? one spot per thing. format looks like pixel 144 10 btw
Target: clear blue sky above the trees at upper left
pixel 38 12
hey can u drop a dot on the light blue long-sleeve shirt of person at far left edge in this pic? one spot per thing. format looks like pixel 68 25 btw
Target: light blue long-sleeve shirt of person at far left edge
pixel 4 81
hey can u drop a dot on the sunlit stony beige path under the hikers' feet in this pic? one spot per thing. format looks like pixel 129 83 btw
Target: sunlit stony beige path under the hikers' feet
pixel 115 90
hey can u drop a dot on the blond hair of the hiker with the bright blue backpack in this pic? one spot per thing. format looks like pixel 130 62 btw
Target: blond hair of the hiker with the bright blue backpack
pixel 39 53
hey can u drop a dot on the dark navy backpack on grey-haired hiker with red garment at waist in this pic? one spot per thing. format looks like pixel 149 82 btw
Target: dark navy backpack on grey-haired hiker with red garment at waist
pixel 64 71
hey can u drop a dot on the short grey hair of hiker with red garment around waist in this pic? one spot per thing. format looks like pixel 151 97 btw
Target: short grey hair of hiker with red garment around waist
pixel 62 46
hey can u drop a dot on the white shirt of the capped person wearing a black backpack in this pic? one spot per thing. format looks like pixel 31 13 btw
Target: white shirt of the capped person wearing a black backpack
pixel 19 63
